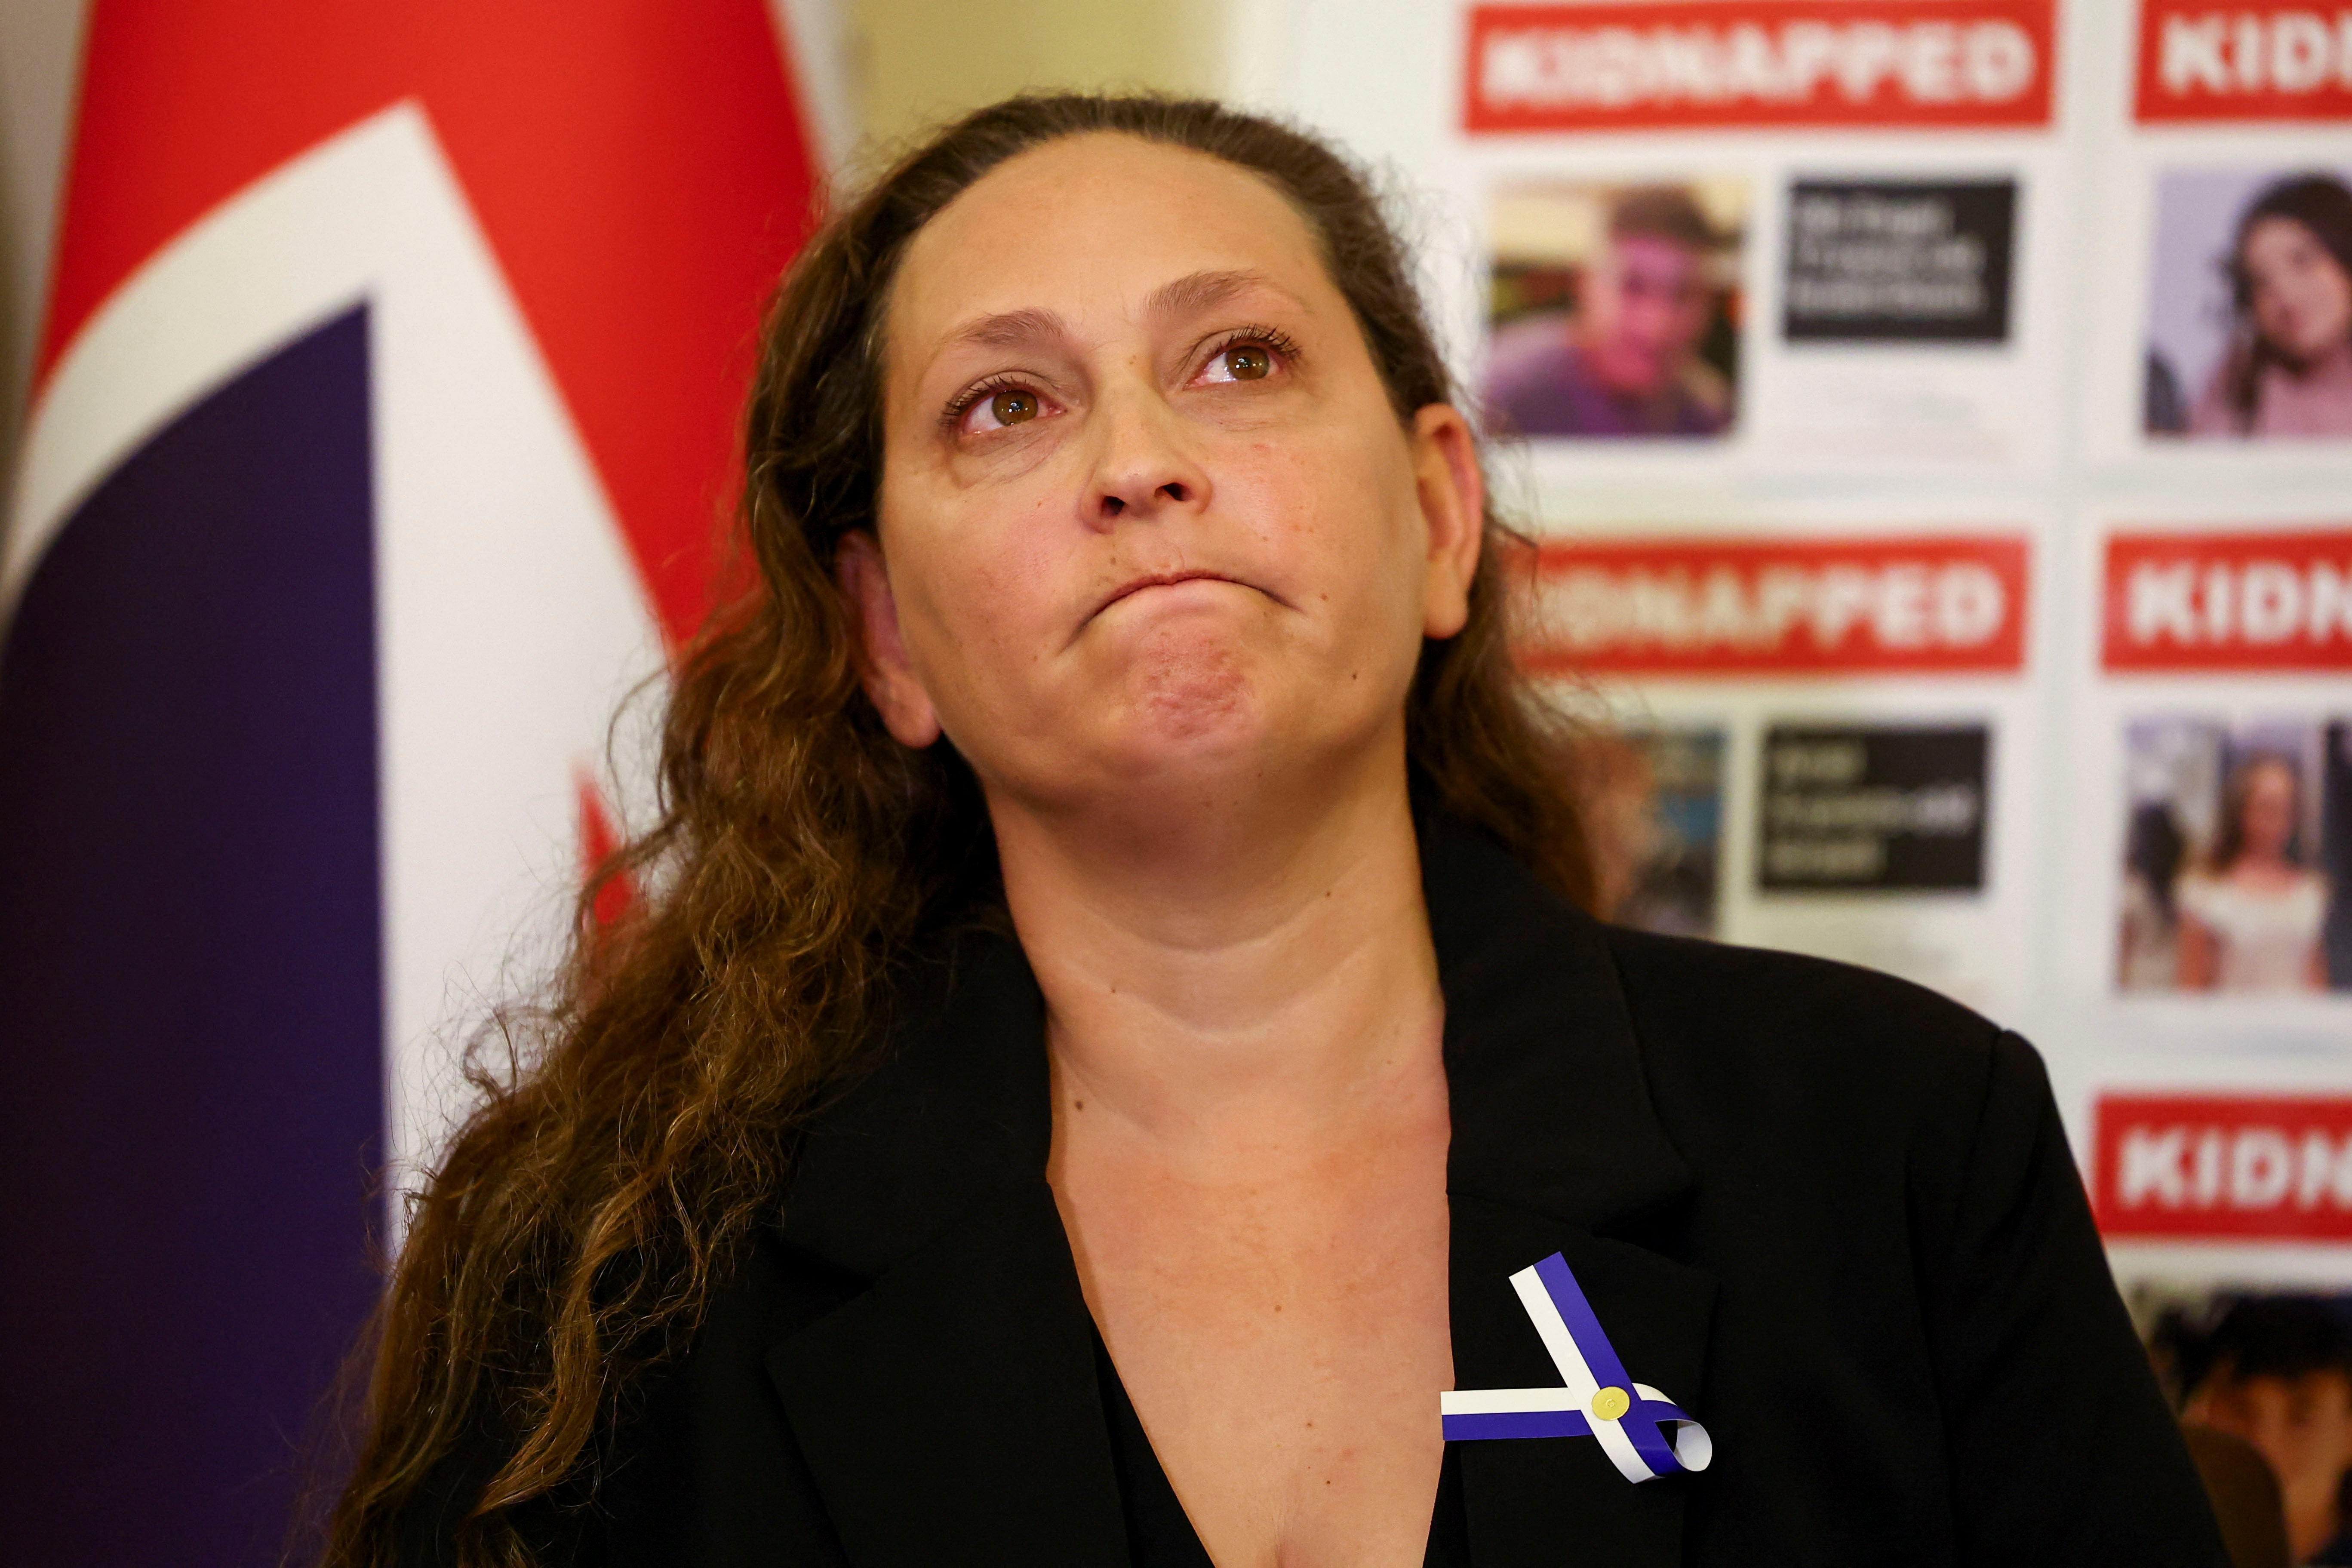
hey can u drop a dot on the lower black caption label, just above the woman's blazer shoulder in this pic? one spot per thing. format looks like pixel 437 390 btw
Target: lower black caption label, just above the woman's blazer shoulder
pixel 1873 810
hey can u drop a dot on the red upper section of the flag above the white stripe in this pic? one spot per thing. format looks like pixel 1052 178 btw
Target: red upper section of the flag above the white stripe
pixel 639 166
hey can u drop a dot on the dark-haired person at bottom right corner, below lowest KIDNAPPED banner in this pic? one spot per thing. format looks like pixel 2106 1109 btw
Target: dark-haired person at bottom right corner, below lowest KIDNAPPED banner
pixel 2278 1374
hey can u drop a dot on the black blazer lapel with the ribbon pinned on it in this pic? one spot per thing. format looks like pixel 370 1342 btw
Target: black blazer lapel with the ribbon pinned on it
pixel 1556 1146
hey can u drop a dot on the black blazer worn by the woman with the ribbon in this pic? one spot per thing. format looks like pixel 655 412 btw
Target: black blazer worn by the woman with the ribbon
pixel 1826 1212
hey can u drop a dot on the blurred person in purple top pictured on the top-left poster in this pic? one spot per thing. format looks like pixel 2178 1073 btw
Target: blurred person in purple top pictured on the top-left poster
pixel 1626 361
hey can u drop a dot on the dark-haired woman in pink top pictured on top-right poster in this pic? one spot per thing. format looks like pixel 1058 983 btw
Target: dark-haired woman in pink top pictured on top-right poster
pixel 2290 366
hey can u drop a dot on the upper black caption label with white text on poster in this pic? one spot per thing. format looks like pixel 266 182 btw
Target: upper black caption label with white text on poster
pixel 1899 262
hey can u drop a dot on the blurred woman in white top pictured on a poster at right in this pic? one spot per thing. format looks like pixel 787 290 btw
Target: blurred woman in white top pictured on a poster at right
pixel 2252 918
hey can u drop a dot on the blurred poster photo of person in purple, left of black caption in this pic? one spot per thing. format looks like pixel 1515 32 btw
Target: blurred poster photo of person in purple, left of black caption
pixel 1615 311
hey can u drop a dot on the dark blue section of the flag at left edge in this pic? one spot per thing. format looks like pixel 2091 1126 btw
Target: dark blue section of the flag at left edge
pixel 192 974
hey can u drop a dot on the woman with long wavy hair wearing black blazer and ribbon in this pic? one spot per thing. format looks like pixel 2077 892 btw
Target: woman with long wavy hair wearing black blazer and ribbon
pixel 1114 1012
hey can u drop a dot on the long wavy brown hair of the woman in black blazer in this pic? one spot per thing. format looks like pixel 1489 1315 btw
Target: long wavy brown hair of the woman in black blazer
pixel 639 1127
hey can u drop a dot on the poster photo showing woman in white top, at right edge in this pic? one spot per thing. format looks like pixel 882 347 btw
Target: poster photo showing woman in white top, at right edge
pixel 2233 852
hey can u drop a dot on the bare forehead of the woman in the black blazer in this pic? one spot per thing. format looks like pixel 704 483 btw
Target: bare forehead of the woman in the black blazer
pixel 1095 225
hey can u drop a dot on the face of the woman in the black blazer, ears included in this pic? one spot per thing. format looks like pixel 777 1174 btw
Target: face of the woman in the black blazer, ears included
pixel 1149 518
